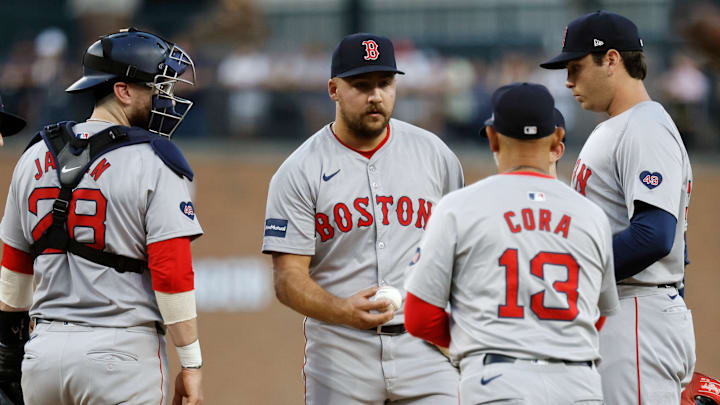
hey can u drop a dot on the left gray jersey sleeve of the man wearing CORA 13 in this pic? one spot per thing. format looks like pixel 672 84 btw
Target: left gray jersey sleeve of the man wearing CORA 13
pixel 429 276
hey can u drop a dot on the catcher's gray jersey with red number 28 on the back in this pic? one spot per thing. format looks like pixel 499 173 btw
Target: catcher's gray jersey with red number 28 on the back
pixel 128 199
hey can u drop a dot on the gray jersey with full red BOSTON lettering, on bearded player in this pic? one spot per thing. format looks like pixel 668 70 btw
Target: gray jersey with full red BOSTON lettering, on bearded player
pixel 359 218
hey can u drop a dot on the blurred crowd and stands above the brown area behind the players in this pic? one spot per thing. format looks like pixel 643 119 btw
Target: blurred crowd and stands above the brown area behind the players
pixel 263 65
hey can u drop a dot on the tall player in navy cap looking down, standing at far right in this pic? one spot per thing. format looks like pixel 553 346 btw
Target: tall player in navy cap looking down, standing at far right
pixel 635 166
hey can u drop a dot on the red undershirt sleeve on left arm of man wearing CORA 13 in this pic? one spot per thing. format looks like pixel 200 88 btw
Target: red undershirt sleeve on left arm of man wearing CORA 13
pixel 427 321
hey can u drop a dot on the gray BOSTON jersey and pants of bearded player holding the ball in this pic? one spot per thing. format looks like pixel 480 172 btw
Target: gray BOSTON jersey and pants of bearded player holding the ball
pixel 360 219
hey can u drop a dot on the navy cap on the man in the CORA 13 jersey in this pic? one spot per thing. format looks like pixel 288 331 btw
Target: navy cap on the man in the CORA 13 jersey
pixel 524 111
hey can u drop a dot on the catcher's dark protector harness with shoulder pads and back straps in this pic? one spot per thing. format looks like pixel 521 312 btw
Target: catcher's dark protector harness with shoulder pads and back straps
pixel 73 156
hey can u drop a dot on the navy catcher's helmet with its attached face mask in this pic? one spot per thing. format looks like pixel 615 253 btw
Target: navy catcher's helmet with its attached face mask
pixel 140 57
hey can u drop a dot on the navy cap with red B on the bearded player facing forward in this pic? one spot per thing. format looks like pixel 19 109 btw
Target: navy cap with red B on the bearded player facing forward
pixel 363 53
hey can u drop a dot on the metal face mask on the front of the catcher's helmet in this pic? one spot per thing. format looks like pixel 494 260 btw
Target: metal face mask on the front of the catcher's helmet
pixel 168 110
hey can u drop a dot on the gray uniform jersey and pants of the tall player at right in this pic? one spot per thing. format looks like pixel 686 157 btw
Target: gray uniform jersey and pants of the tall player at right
pixel 649 348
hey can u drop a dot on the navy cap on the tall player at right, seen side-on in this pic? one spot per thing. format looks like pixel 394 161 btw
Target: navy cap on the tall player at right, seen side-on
pixel 596 32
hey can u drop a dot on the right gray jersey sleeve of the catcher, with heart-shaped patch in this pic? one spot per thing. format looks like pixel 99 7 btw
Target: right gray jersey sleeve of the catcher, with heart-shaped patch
pixel 170 212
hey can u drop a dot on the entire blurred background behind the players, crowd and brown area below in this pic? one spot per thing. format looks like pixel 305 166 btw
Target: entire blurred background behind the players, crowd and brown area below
pixel 262 72
